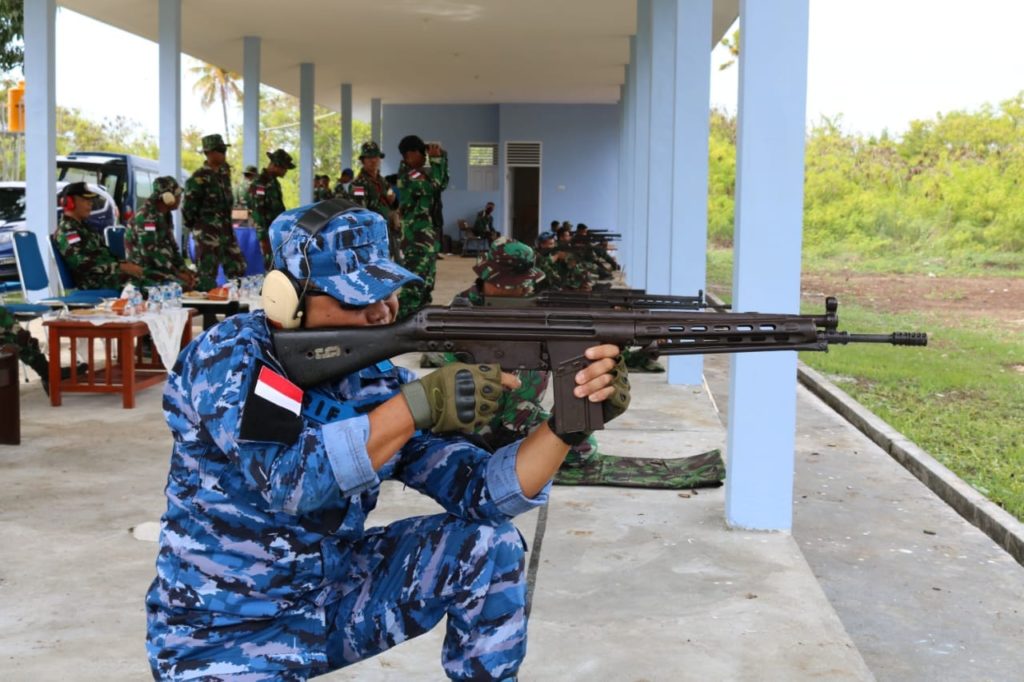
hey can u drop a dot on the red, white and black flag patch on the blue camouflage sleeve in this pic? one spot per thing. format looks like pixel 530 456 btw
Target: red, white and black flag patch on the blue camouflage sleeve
pixel 273 409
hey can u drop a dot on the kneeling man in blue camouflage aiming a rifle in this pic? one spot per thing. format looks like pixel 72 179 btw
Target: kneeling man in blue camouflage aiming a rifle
pixel 269 566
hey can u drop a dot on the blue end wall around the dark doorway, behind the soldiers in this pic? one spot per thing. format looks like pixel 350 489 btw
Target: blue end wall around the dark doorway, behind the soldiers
pixel 580 155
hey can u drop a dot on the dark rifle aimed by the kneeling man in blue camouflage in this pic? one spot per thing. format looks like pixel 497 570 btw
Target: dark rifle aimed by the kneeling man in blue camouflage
pixel 554 339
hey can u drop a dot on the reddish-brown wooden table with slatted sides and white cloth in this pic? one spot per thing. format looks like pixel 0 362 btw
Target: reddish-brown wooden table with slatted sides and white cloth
pixel 132 361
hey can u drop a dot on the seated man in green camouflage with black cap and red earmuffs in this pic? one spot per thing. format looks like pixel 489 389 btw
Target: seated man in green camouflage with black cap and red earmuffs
pixel 92 264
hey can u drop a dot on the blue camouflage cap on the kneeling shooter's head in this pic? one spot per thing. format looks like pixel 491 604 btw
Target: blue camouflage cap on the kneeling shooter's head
pixel 348 260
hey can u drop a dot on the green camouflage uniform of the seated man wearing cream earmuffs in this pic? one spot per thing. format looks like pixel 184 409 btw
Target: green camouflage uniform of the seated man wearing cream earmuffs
pixel 150 243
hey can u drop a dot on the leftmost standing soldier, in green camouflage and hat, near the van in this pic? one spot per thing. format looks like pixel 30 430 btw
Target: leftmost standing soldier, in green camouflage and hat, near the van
pixel 207 212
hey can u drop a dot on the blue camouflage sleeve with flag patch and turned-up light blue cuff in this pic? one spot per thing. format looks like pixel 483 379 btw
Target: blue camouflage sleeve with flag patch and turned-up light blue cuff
pixel 253 414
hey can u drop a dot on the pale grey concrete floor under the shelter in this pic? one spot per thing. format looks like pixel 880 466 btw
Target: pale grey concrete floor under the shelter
pixel 880 579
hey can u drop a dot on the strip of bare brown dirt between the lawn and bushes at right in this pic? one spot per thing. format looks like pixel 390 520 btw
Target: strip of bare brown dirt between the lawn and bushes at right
pixel 949 300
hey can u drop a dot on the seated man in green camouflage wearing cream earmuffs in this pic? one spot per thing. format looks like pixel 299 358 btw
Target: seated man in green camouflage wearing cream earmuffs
pixel 150 241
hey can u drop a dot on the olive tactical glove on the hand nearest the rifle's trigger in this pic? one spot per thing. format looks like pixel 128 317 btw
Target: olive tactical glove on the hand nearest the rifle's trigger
pixel 455 398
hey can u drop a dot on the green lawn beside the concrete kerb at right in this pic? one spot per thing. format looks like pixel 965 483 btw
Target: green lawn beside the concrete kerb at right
pixel 962 399
